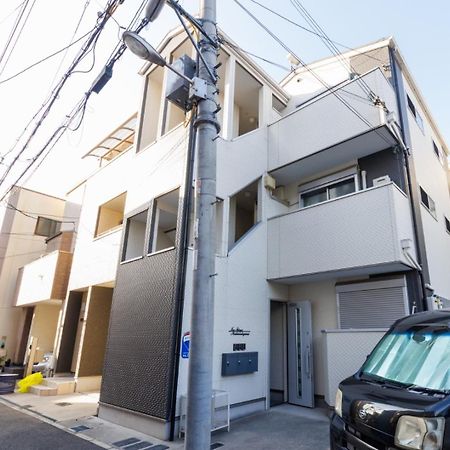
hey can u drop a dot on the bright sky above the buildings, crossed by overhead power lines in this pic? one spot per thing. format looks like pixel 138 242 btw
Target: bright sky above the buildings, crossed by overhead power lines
pixel 420 28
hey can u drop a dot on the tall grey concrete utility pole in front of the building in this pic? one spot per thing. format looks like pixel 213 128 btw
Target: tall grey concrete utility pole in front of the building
pixel 199 413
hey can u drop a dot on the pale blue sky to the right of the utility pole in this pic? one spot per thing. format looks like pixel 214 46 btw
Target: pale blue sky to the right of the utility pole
pixel 421 30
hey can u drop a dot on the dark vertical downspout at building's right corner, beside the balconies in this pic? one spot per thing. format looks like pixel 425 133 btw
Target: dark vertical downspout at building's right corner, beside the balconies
pixel 402 114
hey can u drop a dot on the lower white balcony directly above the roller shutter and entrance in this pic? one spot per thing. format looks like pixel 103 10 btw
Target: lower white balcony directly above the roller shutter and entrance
pixel 363 233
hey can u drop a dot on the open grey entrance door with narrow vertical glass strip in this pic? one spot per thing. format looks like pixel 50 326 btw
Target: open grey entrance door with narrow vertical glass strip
pixel 300 357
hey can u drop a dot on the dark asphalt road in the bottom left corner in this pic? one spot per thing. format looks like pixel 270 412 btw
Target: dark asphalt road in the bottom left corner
pixel 20 431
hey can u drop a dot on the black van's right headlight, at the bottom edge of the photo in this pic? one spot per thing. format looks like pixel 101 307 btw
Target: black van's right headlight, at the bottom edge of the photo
pixel 420 433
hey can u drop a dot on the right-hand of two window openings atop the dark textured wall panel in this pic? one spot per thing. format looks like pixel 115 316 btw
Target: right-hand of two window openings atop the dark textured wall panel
pixel 165 221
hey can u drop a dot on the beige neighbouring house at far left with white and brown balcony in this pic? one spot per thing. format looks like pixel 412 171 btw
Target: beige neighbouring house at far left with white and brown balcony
pixel 31 223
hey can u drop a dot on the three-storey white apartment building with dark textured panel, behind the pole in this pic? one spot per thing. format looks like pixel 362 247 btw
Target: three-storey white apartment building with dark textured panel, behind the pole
pixel 332 212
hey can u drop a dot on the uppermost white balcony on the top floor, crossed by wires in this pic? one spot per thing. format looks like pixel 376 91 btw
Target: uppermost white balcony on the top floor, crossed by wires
pixel 325 133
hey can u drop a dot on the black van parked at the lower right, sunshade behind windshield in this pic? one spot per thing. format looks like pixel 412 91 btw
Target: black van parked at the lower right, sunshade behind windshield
pixel 400 398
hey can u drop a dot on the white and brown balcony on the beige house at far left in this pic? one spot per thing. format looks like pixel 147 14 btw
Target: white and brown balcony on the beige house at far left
pixel 44 280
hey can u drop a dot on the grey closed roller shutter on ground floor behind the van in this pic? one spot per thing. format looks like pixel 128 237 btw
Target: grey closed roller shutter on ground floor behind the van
pixel 371 306
